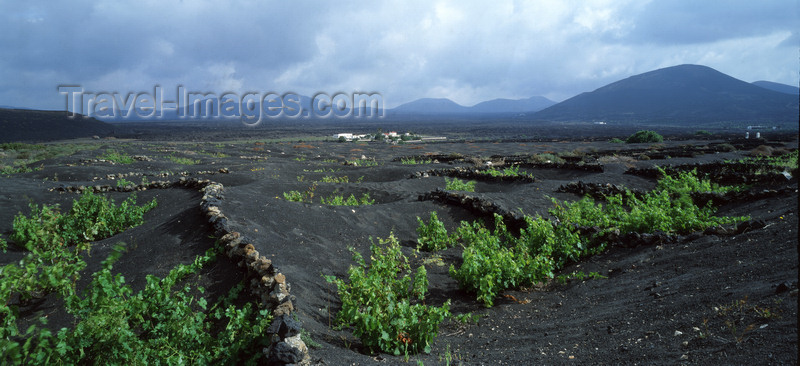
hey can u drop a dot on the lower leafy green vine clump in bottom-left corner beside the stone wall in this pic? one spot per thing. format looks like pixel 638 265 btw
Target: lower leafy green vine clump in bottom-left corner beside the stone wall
pixel 167 322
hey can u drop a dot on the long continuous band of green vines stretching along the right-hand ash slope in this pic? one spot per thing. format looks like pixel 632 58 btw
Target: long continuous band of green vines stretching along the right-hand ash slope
pixel 495 260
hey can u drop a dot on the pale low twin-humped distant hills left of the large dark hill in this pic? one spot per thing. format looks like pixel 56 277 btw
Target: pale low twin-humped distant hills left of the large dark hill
pixel 444 106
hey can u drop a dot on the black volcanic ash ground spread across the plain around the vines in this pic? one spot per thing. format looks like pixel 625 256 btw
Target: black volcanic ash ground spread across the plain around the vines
pixel 665 301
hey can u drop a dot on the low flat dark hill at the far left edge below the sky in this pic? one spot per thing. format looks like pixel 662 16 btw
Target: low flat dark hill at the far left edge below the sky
pixel 36 125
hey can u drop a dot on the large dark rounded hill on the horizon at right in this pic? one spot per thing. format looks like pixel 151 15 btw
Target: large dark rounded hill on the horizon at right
pixel 684 94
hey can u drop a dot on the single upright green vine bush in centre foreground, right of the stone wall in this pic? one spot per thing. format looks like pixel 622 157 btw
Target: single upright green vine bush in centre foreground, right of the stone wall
pixel 385 305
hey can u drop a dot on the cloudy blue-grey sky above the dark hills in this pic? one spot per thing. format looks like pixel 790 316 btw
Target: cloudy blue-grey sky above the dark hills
pixel 466 51
